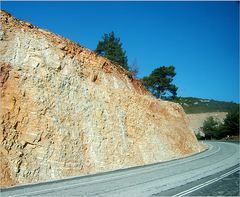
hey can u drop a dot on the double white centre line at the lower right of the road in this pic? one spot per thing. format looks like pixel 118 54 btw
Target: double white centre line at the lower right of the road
pixel 188 191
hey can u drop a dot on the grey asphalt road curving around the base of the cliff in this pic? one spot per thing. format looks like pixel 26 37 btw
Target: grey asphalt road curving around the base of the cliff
pixel 179 177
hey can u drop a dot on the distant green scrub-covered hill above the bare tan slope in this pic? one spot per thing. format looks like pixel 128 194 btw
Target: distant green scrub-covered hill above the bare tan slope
pixel 193 105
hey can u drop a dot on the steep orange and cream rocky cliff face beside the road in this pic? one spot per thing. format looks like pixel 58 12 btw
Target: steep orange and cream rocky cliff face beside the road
pixel 66 111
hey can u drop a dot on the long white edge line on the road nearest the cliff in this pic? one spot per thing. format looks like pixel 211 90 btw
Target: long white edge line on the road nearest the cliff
pixel 111 178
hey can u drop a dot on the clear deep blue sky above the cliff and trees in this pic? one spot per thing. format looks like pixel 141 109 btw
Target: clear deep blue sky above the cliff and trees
pixel 199 38
